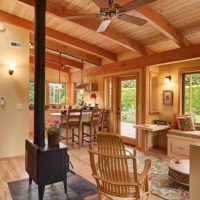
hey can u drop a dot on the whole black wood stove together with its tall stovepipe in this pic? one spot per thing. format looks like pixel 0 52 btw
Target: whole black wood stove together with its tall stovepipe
pixel 45 165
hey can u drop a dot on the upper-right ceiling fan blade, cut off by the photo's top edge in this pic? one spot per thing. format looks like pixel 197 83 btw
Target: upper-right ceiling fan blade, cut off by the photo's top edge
pixel 135 4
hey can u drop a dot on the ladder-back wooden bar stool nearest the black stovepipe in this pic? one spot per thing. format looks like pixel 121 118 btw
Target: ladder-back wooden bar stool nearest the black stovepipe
pixel 73 121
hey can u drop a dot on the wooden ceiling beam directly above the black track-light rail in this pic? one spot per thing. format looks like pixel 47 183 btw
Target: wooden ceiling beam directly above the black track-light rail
pixel 76 53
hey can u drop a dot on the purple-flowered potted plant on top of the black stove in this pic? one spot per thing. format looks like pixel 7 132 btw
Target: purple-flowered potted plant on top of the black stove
pixel 54 131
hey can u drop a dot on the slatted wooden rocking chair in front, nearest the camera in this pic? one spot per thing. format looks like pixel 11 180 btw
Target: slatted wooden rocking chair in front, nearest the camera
pixel 114 179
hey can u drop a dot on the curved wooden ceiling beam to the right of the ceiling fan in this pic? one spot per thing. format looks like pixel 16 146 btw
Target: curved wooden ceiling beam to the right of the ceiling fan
pixel 161 24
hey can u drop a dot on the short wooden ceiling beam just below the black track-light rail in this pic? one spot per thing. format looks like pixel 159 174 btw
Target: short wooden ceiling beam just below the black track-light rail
pixel 63 60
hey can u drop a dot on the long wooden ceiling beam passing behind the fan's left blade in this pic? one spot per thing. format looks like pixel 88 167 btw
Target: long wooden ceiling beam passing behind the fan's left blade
pixel 111 34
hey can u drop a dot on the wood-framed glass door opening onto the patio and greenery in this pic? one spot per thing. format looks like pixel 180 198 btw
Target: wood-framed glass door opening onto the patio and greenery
pixel 127 109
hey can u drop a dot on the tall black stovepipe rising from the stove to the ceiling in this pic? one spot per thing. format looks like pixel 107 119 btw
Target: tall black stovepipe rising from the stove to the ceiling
pixel 39 99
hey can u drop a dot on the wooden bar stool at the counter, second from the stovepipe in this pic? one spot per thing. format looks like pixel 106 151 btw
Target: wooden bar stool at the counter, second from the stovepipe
pixel 96 121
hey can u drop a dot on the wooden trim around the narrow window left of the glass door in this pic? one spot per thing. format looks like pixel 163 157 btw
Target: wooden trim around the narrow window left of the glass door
pixel 108 94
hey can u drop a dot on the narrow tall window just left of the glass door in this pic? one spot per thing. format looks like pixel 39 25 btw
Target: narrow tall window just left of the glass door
pixel 108 86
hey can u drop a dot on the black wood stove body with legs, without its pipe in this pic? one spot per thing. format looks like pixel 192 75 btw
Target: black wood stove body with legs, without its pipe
pixel 46 165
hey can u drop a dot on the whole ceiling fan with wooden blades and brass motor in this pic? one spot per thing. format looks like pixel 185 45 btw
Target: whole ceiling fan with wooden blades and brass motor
pixel 111 9
